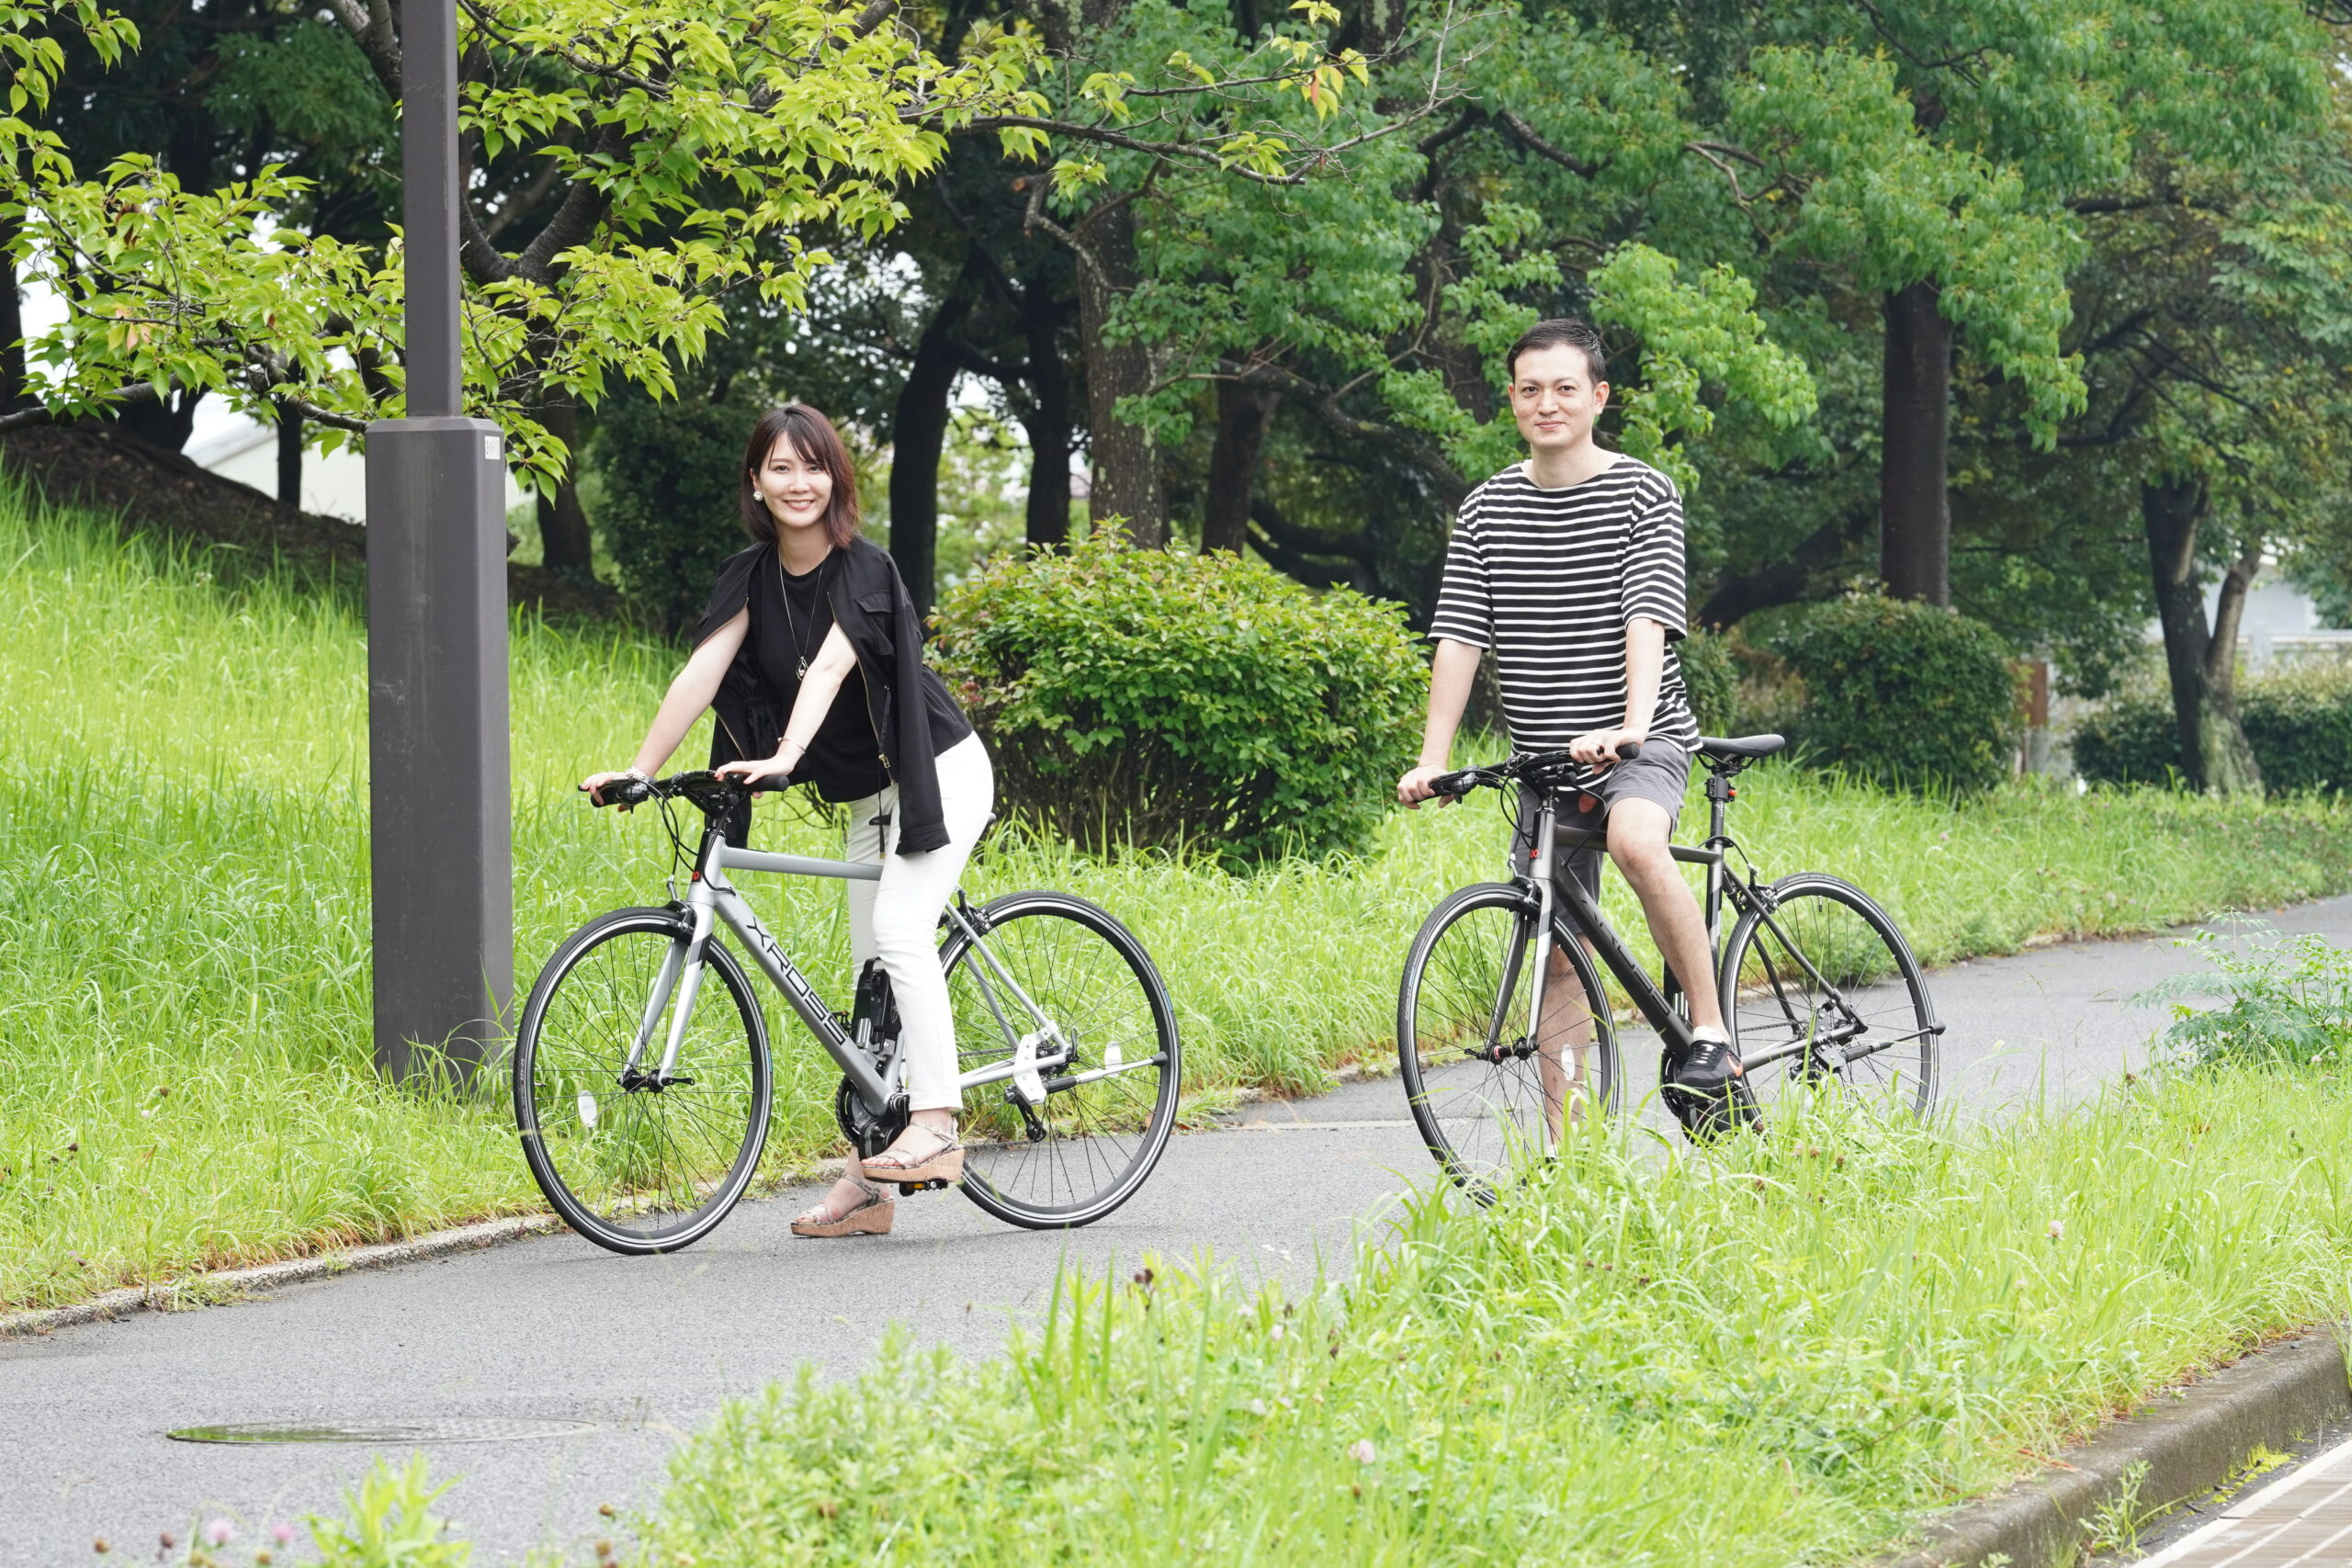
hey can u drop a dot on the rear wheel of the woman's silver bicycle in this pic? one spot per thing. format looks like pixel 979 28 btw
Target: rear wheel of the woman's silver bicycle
pixel 1071 1141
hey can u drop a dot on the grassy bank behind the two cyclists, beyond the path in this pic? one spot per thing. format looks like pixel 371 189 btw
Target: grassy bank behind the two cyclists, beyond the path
pixel 185 1071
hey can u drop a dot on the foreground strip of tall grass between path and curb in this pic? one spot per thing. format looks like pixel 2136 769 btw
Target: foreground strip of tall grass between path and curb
pixel 1782 1353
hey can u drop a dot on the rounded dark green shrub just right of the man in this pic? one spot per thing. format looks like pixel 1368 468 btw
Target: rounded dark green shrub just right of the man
pixel 1904 692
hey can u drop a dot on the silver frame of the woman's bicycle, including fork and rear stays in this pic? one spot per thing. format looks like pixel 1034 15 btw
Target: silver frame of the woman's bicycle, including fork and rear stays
pixel 714 902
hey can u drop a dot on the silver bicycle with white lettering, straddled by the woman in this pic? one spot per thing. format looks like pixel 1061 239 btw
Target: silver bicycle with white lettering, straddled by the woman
pixel 643 1101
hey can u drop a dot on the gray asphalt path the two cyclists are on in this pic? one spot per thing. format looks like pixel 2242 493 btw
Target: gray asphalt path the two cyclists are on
pixel 646 1348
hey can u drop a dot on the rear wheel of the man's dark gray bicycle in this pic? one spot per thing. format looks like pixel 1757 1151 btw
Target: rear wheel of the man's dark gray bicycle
pixel 1824 996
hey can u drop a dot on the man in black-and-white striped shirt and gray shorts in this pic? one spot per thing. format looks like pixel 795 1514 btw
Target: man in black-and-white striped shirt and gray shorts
pixel 1570 570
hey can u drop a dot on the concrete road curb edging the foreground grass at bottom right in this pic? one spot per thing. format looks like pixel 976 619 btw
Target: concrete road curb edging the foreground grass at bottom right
pixel 2191 1440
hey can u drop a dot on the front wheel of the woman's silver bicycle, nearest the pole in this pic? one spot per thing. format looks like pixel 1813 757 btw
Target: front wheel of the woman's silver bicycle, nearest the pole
pixel 632 1155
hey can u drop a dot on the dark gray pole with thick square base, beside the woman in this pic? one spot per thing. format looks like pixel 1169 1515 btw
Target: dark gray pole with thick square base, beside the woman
pixel 441 829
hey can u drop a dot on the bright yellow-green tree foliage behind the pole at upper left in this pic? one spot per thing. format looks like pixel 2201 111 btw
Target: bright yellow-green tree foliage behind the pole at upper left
pixel 634 170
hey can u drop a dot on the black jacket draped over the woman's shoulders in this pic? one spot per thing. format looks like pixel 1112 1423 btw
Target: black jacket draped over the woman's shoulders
pixel 874 610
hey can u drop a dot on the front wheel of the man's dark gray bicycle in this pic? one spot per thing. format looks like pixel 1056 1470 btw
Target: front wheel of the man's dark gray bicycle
pixel 1471 1071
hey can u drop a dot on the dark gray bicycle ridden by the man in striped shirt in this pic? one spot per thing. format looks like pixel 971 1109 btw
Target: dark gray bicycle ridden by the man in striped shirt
pixel 1497 1052
